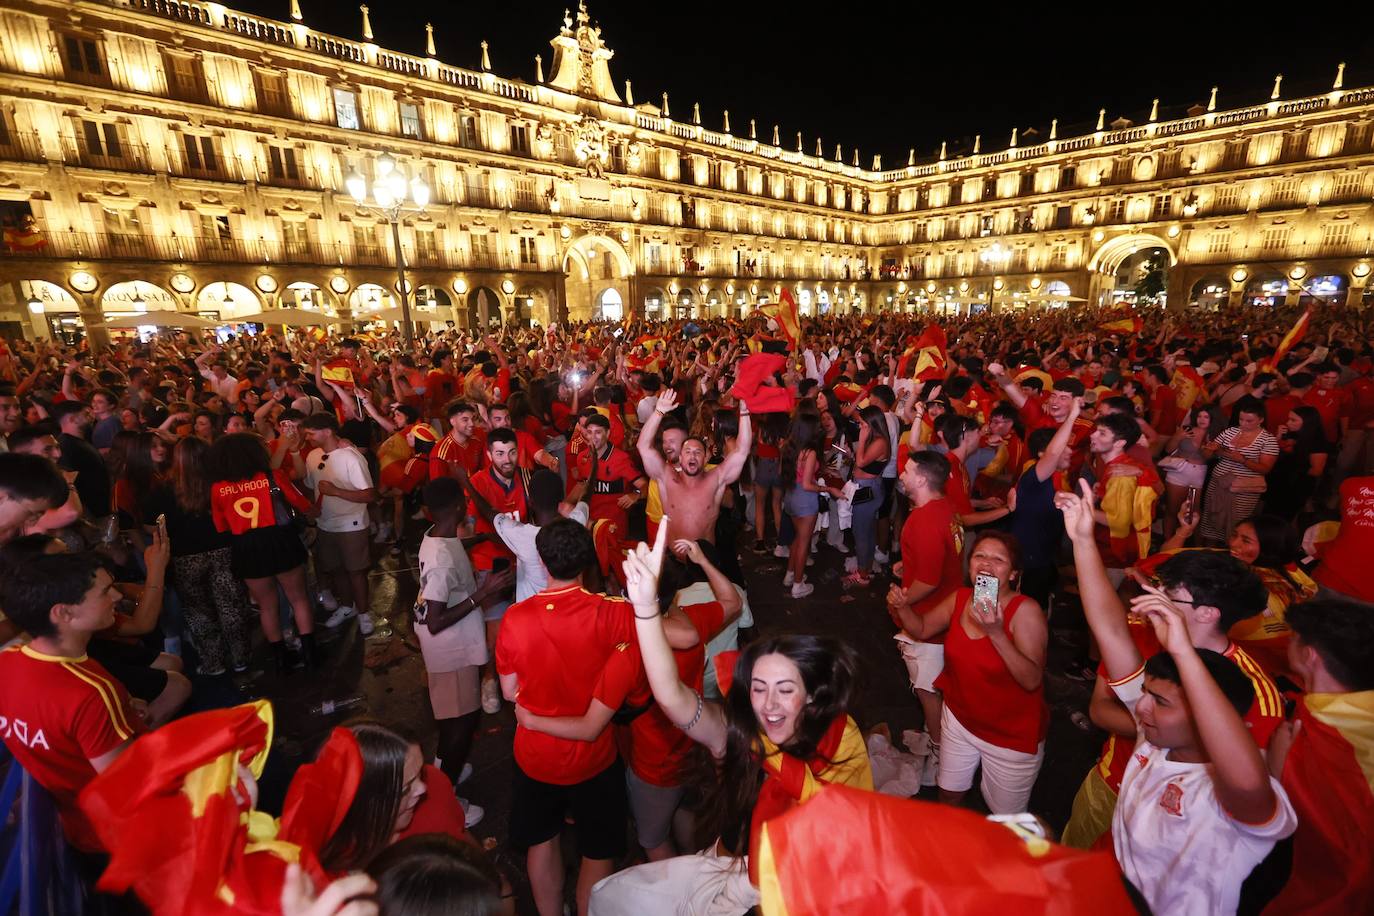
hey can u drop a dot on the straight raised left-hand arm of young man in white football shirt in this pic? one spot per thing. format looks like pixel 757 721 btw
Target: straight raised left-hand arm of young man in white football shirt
pixel 1101 605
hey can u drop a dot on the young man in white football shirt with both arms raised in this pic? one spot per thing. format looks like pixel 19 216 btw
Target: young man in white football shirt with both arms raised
pixel 1197 810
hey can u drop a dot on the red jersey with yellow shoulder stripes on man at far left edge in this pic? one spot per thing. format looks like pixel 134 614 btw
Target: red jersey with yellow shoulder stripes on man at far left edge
pixel 57 715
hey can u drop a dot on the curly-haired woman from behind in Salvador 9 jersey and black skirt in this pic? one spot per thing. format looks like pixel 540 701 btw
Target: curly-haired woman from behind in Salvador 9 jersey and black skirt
pixel 249 502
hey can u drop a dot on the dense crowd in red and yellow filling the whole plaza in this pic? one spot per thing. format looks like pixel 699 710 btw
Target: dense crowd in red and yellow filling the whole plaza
pixel 589 506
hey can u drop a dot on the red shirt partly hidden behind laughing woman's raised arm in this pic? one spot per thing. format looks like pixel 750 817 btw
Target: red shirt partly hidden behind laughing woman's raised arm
pixel 657 748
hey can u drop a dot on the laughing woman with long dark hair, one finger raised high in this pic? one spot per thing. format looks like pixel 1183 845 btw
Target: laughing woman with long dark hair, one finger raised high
pixel 778 737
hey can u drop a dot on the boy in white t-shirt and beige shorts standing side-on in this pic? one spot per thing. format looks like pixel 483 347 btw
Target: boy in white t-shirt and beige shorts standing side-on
pixel 449 624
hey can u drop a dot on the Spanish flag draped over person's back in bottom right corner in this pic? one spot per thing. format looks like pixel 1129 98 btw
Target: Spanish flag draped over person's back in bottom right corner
pixel 1329 777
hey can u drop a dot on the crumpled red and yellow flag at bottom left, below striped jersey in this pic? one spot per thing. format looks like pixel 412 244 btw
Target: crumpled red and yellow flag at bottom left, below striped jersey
pixel 178 837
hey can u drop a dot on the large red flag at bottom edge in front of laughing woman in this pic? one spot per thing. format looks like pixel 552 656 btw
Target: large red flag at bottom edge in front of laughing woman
pixel 855 852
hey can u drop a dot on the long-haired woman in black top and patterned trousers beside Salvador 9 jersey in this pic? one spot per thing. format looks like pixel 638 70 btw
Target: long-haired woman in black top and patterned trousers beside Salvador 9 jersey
pixel 214 601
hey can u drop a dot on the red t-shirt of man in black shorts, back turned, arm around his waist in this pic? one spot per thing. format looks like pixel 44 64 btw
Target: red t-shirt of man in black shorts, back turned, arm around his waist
pixel 557 643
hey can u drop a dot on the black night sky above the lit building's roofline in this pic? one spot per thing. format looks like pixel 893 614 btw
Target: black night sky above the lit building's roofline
pixel 894 76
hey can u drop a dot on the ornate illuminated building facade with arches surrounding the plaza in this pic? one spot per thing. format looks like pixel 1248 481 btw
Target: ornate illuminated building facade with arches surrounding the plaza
pixel 182 156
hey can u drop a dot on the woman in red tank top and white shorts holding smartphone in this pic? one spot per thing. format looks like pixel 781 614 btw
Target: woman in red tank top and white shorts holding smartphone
pixel 993 682
